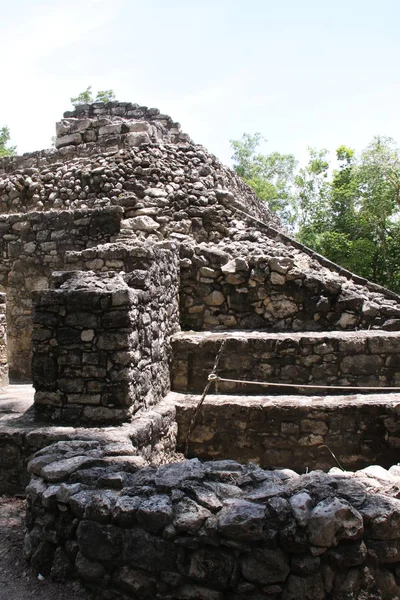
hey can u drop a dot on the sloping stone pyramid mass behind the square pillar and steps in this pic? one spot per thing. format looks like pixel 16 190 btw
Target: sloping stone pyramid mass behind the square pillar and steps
pixel 238 270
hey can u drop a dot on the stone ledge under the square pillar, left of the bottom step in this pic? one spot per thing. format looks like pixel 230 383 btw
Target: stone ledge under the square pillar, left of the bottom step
pixel 150 437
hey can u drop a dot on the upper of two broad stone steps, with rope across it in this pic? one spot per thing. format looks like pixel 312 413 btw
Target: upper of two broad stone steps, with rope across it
pixel 334 358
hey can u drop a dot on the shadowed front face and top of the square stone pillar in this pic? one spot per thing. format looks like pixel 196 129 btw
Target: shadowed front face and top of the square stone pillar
pixel 84 342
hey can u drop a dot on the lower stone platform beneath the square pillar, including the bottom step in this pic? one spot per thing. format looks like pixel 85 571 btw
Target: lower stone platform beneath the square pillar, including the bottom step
pixel 298 432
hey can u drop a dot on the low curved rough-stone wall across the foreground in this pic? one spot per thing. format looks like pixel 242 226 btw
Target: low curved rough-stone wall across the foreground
pixel 212 531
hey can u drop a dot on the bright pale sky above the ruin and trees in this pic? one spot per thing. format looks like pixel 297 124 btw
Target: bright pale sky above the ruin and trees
pixel 301 72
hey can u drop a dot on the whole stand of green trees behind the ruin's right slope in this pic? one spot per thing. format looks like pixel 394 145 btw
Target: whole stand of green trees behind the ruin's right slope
pixel 350 213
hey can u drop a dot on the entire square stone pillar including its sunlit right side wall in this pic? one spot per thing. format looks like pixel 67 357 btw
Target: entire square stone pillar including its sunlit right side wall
pixel 101 343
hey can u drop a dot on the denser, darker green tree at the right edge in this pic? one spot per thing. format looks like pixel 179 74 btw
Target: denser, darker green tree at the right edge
pixel 353 218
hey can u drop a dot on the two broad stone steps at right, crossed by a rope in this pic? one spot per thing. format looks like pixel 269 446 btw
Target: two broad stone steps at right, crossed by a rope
pixel 297 427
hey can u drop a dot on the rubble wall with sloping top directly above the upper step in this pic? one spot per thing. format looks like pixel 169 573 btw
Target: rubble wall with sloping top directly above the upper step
pixel 265 284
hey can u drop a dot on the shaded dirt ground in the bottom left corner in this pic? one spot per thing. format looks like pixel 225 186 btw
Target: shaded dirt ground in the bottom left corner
pixel 16 579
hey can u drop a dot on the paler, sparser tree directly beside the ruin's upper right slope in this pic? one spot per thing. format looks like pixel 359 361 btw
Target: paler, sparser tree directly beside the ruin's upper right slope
pixel 270 175
